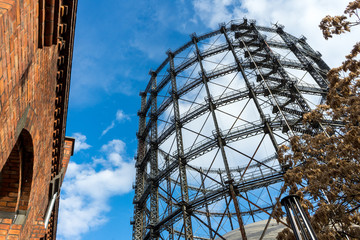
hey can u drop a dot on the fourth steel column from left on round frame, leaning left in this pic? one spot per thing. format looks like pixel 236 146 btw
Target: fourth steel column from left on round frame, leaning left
pixel 220 141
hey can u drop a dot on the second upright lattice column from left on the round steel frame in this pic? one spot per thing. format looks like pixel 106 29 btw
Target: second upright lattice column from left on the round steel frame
pixel 154 192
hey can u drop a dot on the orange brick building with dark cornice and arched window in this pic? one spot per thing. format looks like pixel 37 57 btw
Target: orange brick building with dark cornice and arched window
pixel 36 44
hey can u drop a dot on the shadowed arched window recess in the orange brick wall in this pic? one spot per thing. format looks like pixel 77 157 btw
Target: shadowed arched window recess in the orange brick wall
pixel 16 179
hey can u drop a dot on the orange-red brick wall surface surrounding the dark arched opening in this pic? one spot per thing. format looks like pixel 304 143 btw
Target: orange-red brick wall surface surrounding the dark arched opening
pixel 29 85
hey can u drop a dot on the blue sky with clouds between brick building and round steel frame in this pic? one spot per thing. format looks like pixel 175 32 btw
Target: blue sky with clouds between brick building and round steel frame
pixel 117 42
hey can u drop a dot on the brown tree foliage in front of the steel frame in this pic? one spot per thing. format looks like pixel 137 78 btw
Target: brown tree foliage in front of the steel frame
pixel 326 166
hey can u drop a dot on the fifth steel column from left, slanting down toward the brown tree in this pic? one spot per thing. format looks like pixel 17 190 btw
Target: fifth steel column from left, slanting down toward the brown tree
pixel 252 94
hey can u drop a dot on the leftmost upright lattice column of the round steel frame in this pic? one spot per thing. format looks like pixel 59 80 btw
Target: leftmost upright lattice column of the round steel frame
pixel 138 228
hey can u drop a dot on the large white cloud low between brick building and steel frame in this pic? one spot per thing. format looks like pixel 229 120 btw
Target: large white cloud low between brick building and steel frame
pixel 88 187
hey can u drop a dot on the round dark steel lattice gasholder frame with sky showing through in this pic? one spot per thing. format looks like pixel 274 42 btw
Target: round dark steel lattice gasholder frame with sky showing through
pixel 211 121
